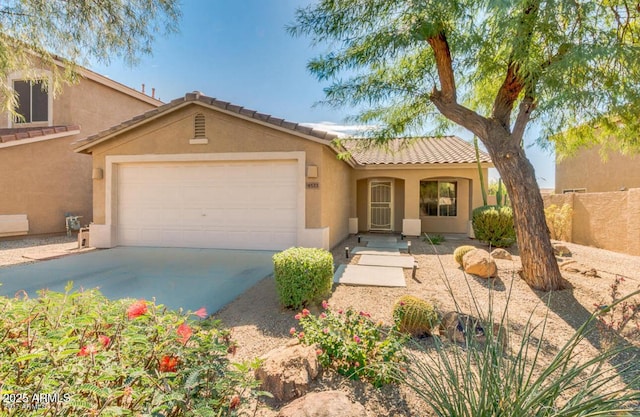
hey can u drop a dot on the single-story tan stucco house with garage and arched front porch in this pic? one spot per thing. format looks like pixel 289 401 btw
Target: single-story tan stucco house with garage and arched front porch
pixel 199 172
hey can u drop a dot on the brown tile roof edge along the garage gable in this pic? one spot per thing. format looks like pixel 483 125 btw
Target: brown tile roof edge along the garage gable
pixel 197 97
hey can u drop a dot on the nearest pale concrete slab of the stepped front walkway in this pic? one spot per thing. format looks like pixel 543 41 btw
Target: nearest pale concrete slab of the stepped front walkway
pixel 378 276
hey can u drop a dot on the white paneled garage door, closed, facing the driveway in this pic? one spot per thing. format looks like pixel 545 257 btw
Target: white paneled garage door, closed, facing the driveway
pixel 229 205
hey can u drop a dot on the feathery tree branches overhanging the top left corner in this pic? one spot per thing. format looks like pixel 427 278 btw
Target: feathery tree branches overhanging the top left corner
pixel 55 35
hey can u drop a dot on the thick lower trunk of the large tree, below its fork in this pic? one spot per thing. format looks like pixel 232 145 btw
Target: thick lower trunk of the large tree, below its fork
pixel 539 266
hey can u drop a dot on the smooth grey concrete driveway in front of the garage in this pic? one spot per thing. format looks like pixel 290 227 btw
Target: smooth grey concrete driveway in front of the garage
pixel 187 278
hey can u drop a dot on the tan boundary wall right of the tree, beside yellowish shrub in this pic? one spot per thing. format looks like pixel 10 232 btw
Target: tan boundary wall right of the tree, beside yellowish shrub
pixel 604 220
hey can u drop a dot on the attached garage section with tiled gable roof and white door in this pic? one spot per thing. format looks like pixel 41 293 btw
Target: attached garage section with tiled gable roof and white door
pixel 202 173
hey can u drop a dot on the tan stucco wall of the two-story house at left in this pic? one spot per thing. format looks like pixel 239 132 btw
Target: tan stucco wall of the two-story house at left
pixel 47 179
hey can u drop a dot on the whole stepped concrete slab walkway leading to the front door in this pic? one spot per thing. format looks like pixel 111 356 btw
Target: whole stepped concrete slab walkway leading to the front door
pixel 380 263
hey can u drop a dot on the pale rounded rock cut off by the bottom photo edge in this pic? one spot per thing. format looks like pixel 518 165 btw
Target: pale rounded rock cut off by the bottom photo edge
pixel 323 404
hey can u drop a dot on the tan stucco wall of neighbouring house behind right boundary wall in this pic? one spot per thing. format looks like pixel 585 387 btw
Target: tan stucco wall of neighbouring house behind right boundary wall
pixel 587 170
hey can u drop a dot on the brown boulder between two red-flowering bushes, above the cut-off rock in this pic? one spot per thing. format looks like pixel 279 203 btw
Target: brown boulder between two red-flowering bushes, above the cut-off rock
pixel 287 371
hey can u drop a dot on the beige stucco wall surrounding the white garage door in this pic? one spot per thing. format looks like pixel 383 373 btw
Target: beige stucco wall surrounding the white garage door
pixel 226 133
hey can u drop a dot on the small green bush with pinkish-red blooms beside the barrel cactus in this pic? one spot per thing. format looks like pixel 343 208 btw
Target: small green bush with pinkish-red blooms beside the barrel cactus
pixel 352 344
